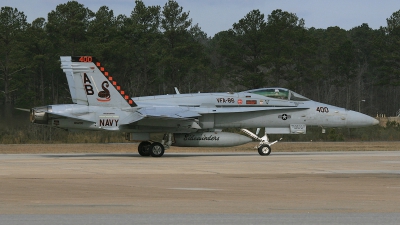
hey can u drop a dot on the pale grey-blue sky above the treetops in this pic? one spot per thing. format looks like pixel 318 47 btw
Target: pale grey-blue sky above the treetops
pixel 214 16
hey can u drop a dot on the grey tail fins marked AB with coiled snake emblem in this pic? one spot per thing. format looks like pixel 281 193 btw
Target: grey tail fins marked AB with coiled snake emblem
pixel 90 84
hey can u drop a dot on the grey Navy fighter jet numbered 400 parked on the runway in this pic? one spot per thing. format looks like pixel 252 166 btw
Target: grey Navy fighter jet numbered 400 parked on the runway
pixel 191 120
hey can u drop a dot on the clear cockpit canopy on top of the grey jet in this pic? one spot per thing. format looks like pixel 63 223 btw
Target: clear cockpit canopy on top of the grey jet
pixel 279 93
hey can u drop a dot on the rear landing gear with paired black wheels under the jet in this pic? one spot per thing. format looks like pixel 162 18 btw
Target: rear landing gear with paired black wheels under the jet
pixel 155 149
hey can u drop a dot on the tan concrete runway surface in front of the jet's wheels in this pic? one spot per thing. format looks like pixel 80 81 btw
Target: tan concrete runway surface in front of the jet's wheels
pixel 204 185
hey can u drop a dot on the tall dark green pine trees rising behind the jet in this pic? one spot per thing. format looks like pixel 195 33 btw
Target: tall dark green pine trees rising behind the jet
pixel 159 47
